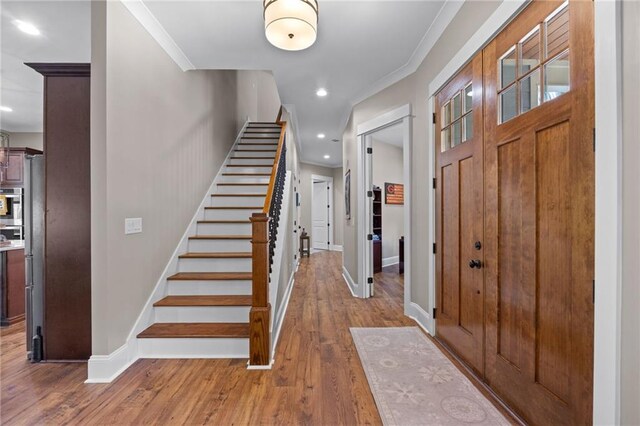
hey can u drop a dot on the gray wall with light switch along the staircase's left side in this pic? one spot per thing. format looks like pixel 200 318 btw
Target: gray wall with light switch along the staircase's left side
pixel 159 136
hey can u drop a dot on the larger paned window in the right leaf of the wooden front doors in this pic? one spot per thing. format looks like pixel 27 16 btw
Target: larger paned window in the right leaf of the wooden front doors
pixel 536 69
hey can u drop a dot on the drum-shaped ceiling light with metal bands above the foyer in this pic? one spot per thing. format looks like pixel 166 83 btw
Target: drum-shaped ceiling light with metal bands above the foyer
pixel 291 24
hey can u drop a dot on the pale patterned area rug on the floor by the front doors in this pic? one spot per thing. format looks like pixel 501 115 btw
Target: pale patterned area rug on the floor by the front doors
pixel 413 383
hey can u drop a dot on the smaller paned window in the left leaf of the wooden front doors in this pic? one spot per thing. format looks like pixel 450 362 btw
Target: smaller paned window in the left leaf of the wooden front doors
pixel 457 119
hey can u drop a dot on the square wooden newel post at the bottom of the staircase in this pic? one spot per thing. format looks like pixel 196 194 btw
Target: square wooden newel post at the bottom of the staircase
pixel 260 316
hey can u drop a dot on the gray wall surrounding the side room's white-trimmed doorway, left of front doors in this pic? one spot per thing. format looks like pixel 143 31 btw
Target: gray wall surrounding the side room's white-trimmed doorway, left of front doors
pixel 413 90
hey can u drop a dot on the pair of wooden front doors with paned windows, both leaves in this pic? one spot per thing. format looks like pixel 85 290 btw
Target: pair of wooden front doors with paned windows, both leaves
pixel 515 267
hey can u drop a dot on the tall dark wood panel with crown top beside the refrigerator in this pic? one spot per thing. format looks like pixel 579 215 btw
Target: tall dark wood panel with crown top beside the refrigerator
pixel 67 263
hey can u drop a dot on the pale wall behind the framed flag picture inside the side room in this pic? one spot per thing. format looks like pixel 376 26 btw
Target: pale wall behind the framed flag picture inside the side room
pixel 388 167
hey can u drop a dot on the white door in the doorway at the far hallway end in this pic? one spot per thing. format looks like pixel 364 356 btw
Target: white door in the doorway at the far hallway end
pixel 321 212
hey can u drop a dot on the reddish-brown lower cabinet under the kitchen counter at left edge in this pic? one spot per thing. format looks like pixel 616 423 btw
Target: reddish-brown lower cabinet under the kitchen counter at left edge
pixel 12 281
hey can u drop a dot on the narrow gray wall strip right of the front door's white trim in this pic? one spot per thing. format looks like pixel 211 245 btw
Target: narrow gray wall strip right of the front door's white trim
pixel 630 319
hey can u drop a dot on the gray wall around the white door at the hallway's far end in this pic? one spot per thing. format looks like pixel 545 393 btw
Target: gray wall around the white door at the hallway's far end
pixel 306 171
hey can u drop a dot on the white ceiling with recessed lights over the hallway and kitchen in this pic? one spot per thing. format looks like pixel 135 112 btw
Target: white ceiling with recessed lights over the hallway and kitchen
pixel 362 47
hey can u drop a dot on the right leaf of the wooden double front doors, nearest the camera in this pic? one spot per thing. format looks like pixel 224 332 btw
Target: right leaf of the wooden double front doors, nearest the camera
pixel 539 212
